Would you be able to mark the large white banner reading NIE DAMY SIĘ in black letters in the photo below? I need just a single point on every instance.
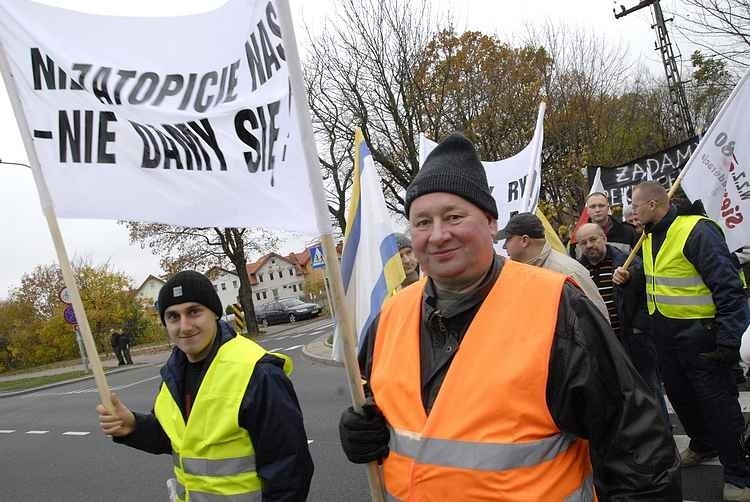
(183, 120)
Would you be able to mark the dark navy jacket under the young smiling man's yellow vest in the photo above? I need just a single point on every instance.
(269, 412)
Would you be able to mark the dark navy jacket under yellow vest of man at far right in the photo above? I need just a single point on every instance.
(707, 250)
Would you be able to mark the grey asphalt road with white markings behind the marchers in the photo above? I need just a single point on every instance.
(51, 449)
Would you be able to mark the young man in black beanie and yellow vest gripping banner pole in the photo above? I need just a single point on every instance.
(226, 410)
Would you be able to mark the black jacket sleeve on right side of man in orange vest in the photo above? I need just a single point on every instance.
(594, 392)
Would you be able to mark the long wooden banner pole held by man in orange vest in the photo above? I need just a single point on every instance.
(344, 316)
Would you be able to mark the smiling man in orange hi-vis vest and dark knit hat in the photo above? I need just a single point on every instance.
(495, 380)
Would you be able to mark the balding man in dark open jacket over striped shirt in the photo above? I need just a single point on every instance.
(624, 293)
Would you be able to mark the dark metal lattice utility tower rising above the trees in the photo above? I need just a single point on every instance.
(678, 100)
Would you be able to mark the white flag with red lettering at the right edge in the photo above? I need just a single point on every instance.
(717, 172)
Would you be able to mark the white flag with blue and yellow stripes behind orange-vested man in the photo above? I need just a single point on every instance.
(370, 263)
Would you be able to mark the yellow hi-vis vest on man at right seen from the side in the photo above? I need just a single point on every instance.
(673, 285)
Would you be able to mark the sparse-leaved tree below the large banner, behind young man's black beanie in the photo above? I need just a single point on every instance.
(184, 248)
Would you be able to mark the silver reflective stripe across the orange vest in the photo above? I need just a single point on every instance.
(481, 456)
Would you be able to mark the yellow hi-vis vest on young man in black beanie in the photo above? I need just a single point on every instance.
(214, 458)
